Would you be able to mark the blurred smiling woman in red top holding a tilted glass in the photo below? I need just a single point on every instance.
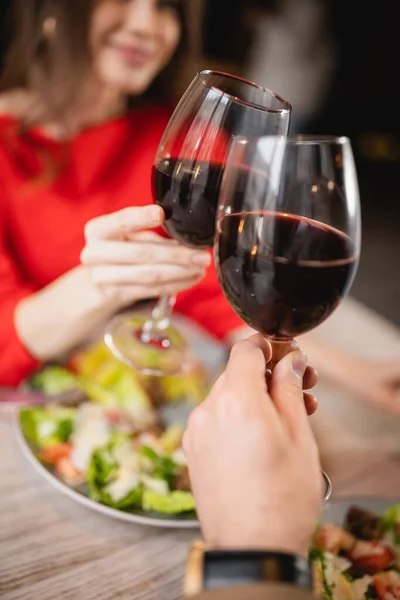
(86, 95)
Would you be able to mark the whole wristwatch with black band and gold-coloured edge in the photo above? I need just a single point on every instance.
(210, 569)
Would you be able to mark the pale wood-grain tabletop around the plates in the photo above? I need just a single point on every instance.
(52, 549)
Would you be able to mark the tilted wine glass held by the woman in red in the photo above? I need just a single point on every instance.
(187, 175)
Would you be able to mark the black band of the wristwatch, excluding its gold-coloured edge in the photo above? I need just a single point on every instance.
(231, 568)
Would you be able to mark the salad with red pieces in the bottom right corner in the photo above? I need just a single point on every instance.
(361, 559)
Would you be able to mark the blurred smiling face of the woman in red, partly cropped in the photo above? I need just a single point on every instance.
(133, 40)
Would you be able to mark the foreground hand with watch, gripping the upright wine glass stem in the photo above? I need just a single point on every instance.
(253, 461)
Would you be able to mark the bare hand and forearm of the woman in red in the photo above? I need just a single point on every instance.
(123, 262)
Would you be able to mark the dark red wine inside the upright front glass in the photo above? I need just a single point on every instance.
(283, 274)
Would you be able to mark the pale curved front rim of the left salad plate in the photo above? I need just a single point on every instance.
(87, 502)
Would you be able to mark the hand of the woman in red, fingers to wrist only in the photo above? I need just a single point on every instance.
(129, 263)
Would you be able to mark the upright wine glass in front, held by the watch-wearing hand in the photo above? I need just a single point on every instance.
(288, 233)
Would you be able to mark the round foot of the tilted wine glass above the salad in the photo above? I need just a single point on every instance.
(153, 348)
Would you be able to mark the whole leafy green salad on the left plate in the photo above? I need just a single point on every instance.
(112, 446)
